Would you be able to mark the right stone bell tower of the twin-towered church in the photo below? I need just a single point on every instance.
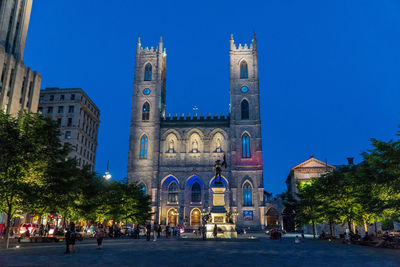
(245, 126)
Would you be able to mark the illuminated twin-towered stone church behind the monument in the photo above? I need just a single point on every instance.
(172, 157)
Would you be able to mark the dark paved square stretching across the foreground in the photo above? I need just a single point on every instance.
(264, 252)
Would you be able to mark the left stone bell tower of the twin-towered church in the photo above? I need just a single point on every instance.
(148, 105)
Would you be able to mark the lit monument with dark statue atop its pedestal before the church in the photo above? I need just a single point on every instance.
(218, 216)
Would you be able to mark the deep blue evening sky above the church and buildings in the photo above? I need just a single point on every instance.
(329, 70)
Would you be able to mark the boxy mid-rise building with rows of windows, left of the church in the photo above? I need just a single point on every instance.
(78, 119)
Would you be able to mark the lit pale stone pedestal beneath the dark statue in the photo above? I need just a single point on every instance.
(218, 215)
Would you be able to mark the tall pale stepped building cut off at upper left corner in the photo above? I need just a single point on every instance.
(19, 85)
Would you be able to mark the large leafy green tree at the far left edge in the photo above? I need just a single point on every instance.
(27, 145)
